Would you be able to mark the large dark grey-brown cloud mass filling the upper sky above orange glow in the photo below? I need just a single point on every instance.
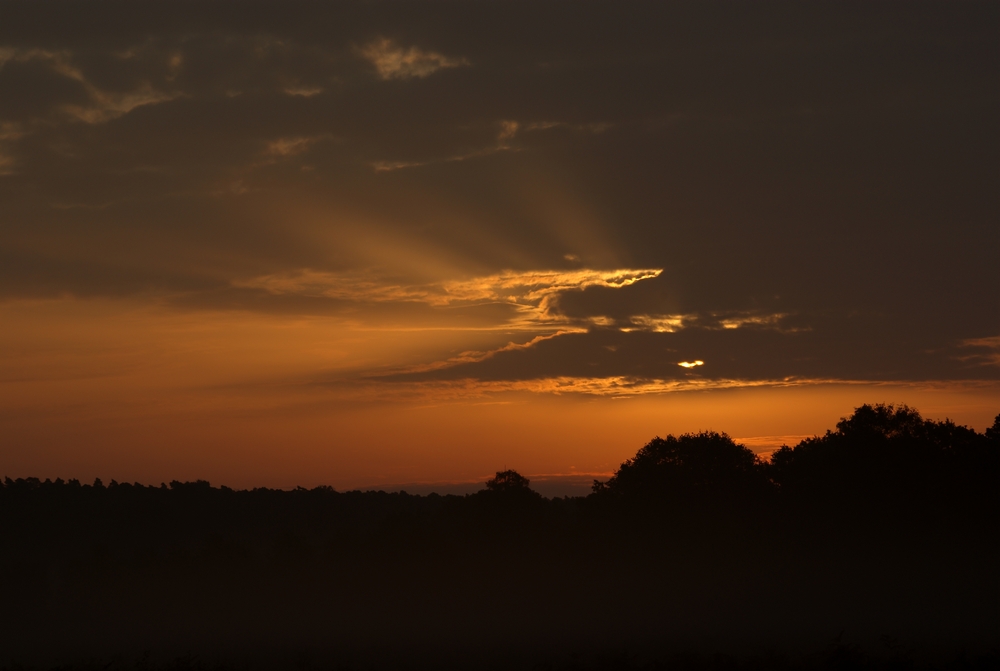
(835, 163)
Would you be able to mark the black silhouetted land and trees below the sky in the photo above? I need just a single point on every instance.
(874, 546)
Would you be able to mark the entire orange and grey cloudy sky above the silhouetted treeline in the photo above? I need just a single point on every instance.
(376, 244)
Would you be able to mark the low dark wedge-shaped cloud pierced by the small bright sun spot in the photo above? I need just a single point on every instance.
(843, 350)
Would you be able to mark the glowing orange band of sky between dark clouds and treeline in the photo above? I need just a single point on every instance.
(102, 389)
